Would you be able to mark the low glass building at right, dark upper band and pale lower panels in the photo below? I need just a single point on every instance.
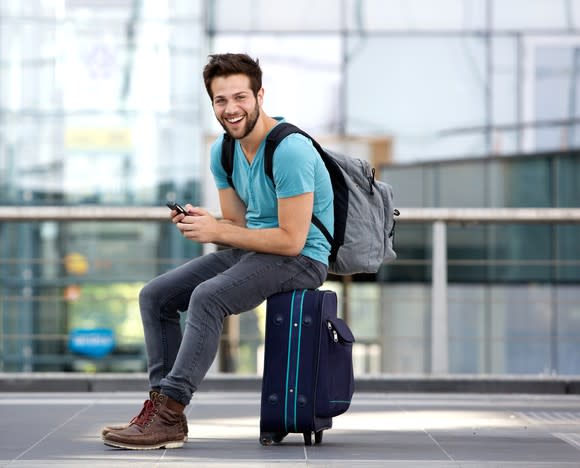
(514, 289)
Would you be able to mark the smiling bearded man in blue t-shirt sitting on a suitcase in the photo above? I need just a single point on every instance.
(274, 248)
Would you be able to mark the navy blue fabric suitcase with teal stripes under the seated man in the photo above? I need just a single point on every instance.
(308, 376)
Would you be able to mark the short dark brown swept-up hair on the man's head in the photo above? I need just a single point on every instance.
(231, 64)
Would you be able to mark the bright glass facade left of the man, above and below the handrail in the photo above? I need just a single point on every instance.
(97, 107)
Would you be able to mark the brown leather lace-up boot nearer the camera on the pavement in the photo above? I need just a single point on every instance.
(159, 426)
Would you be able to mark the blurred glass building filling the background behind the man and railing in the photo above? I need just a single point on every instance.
(459, 103)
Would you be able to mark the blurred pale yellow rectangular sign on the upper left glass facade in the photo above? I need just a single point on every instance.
(111, 139)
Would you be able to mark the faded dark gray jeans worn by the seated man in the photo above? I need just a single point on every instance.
(210, 288)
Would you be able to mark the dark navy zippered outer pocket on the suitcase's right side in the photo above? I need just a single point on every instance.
(335, 373)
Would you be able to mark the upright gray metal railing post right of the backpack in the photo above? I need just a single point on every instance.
(439, 322)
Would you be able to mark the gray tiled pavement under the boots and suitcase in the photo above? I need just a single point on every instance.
(380, 430)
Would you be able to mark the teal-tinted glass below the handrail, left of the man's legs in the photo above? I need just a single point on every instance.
(56, 277)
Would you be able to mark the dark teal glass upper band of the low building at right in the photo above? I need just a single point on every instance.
(501, 253)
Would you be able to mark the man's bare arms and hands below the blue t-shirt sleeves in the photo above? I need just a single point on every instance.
(294, 217)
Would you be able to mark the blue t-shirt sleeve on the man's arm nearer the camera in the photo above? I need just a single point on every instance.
(294, 166)
